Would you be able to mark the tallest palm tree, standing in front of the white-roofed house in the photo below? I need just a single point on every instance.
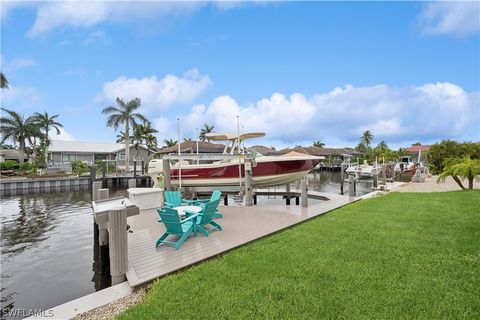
(124, 113)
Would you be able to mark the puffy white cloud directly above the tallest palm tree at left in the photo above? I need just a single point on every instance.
(158, 94)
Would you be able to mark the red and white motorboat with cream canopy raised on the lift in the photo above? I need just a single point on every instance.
(266, 170)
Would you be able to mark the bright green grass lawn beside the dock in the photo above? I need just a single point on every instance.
(403, 255)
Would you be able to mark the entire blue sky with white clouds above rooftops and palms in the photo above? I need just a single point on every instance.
(407, 71)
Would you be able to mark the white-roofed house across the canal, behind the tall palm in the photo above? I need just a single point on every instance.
(62, 153)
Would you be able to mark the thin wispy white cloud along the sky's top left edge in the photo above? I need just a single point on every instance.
(51, 15)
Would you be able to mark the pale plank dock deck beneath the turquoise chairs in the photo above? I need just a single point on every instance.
(240, 225)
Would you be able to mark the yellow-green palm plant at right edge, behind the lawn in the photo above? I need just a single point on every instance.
(460, 169)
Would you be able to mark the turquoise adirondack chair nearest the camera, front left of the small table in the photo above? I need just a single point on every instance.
(175, 226)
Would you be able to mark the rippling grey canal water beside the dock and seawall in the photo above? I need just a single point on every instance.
(47, 251)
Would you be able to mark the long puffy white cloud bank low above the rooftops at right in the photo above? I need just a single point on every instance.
(431, 111)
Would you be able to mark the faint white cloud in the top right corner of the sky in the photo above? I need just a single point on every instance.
(459, 18)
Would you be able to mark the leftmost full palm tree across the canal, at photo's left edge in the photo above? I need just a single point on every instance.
(17, 128)
